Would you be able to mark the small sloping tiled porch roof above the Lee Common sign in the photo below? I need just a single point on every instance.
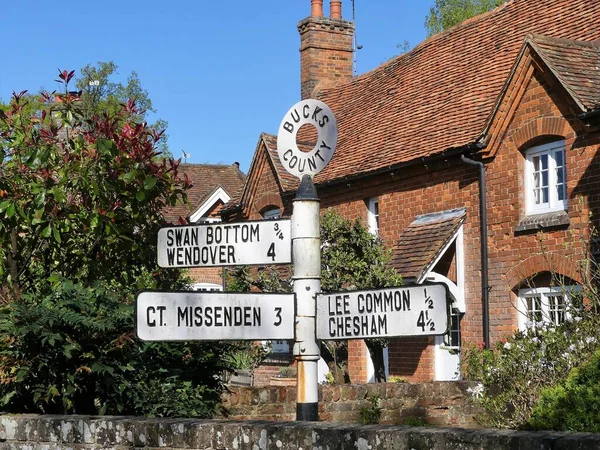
(424, 240)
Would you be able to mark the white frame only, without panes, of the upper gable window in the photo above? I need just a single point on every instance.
(553, 204)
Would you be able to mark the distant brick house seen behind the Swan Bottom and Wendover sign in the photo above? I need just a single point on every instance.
(213, 185)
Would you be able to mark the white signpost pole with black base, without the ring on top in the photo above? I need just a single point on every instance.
(306, 253)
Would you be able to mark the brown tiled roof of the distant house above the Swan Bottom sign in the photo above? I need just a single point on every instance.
(206, 180)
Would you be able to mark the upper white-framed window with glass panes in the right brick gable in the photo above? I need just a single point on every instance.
(546, 178)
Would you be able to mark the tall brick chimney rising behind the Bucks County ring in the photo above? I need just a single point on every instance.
(325, 48)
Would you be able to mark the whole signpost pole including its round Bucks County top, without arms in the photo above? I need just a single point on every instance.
(306, 242)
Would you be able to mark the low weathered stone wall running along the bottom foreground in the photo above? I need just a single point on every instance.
(82, 432)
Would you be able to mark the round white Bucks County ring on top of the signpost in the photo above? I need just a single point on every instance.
(294, 160)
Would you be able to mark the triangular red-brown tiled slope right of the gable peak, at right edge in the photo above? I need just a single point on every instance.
(576, 64)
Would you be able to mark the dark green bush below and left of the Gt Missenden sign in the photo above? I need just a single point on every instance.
(75, 351)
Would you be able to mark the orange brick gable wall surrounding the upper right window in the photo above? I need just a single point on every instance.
(542, 116)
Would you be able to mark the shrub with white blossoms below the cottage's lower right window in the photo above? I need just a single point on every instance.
(513, 374)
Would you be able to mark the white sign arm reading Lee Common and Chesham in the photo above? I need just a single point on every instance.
(401, 311)
